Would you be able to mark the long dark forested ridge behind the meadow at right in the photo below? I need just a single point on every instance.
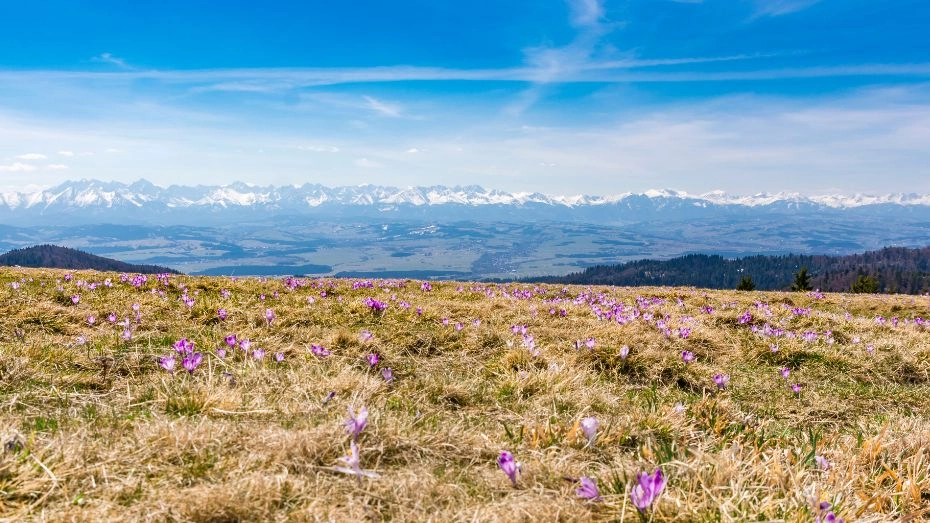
(896, 269)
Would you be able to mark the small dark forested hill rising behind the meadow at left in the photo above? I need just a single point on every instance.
(55, 257)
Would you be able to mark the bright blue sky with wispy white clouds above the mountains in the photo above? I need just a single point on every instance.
(560, 97)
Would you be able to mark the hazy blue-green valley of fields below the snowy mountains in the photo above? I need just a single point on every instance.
(460, 249)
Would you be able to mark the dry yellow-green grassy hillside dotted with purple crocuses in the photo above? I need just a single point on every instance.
(826, 401)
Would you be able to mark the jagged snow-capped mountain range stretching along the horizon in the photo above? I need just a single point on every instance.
(93, 194)
